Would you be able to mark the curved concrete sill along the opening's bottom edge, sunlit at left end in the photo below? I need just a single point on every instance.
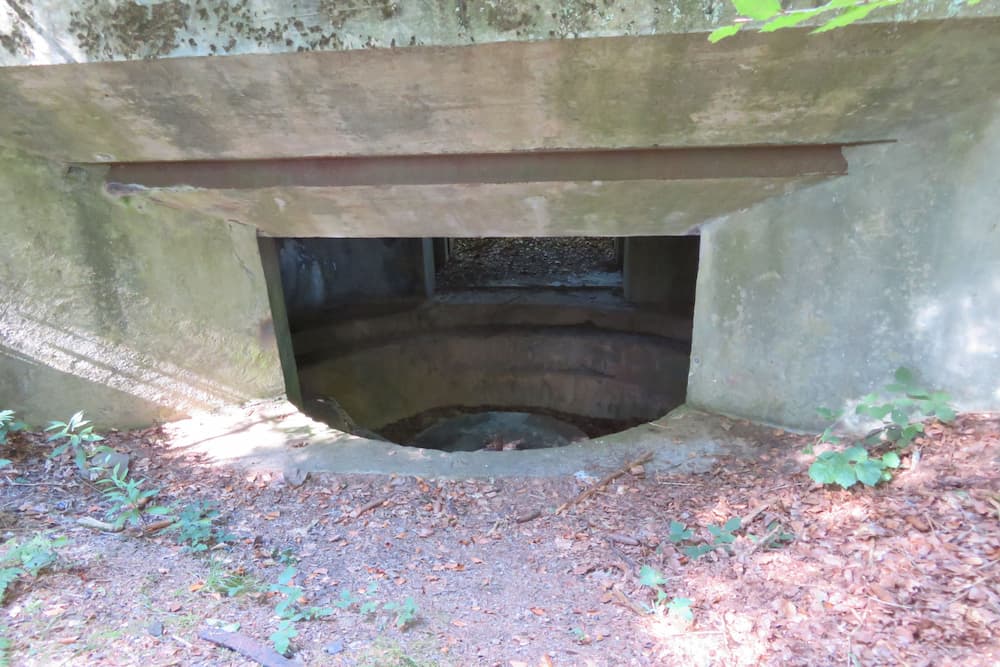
(275, 436)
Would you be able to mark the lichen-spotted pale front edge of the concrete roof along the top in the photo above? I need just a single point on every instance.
(45, 32)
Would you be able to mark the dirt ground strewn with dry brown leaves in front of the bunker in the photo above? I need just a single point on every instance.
(905, 574)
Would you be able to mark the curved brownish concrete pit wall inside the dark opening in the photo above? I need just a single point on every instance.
(573, 356)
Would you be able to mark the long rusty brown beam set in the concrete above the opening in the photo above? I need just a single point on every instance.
(533, 167)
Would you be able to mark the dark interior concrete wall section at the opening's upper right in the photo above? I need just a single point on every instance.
(661, 269)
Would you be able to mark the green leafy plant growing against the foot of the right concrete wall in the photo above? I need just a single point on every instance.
(902, 409)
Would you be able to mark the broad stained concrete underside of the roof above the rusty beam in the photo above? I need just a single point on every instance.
(858, 84)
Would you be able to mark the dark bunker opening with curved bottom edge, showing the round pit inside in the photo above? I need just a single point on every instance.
(488, 347)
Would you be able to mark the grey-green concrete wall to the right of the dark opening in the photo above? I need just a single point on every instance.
(816, 298)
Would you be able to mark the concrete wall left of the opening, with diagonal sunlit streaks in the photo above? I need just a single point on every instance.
(127, 312)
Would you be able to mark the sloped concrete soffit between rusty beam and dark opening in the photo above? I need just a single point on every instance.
(520, 209)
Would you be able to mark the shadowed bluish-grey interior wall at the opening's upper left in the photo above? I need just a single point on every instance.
(319, 274)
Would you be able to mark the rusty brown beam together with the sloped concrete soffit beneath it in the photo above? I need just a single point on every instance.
(628, 192)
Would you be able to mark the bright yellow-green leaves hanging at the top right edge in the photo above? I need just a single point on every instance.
(768, 15)
